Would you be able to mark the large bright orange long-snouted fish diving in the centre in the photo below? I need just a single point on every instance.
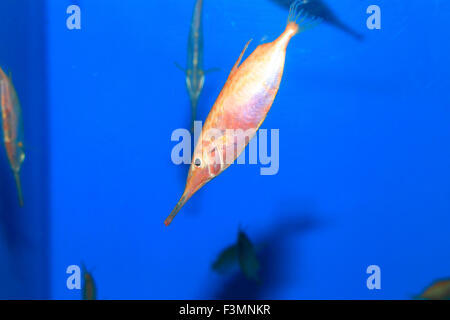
(242, 106)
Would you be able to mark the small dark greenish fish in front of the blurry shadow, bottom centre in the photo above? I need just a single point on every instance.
(243, 253)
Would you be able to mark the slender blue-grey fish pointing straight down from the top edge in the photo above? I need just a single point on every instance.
(195, 75)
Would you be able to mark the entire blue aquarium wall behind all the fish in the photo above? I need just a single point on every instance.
(364, 174)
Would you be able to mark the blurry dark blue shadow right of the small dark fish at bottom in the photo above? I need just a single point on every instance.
(274, 249)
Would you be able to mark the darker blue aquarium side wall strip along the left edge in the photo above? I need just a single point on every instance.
(24, 232)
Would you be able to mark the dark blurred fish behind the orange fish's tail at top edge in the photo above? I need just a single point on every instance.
(319, 9)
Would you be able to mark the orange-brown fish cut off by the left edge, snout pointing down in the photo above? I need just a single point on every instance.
(12, 128)
